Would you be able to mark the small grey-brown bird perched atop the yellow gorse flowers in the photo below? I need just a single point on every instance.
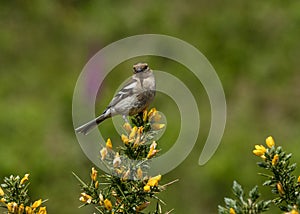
(134, 97)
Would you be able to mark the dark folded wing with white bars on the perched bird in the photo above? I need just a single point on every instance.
(125, 92)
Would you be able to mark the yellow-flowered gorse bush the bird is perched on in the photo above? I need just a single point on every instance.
(127, 187)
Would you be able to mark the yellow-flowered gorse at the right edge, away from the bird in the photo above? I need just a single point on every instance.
(284, 185)
